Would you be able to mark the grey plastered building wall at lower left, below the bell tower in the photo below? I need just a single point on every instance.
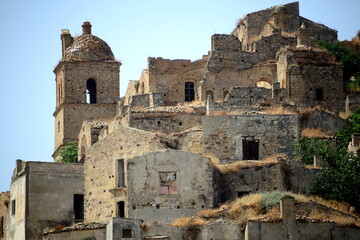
(49, 190)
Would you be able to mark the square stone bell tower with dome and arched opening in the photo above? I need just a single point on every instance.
(87, 84)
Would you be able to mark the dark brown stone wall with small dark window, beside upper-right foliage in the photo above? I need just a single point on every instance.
(312, 78)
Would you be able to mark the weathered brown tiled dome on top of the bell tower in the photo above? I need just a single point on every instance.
(88, 47)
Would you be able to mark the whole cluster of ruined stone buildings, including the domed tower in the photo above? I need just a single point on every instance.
(155, 155)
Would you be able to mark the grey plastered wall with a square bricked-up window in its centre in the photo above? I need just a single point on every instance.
(168, 184)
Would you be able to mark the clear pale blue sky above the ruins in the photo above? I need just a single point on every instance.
(135, 29)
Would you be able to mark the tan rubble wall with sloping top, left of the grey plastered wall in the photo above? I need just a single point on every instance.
(102, 190)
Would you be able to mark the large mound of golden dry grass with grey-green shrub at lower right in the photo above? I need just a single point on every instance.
(250, 207)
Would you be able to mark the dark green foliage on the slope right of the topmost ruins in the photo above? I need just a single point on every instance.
(350, 62)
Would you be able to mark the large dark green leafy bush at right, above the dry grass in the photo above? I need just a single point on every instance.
(339, 178)
